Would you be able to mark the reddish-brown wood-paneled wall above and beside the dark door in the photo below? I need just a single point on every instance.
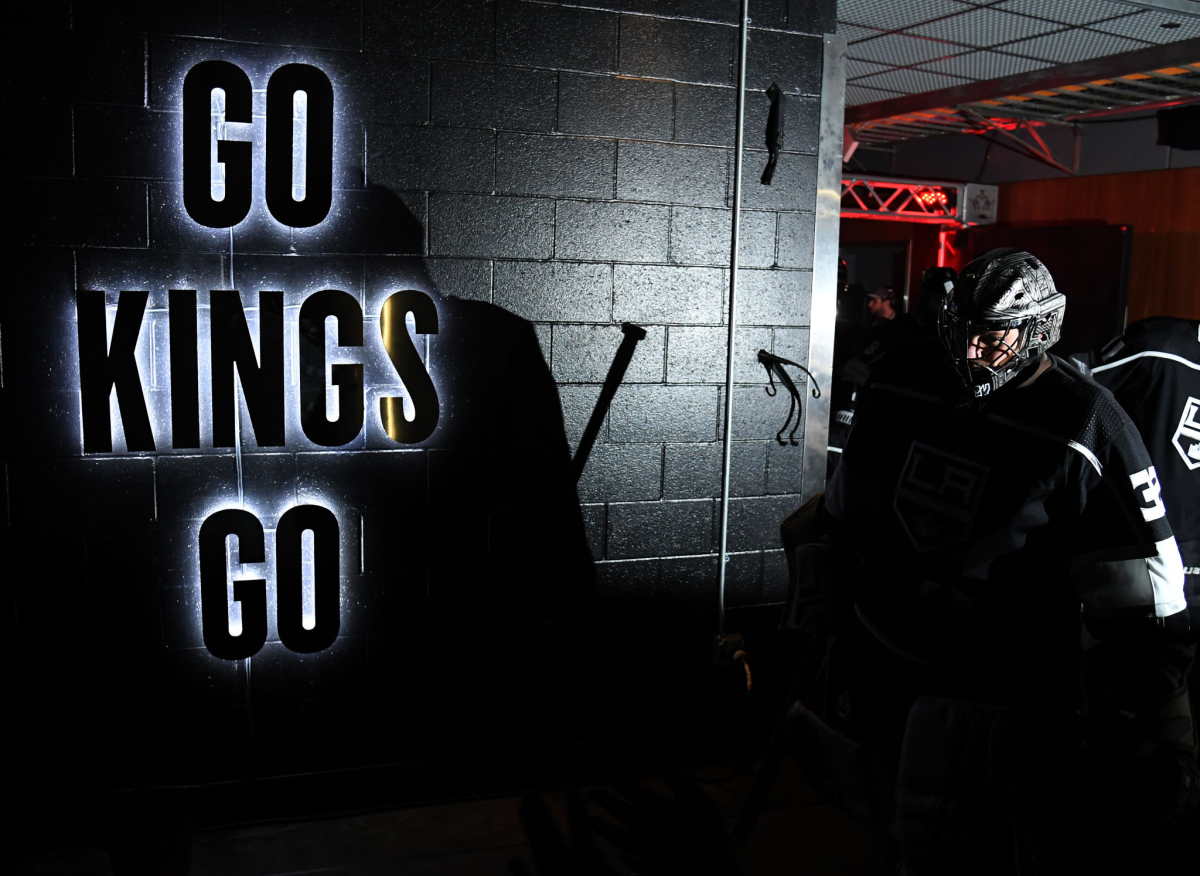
(1163, 208)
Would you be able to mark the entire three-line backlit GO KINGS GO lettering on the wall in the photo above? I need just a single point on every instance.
(218, 194)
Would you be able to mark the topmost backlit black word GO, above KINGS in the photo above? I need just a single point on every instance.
(299, 149)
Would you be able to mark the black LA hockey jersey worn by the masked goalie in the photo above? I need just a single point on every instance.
(973, 536)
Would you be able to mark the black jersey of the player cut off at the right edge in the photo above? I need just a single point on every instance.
(1154, 371)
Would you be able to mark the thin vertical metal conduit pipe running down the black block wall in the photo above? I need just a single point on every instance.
(727, 451)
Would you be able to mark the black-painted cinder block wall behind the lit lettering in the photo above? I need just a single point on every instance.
(545, 172)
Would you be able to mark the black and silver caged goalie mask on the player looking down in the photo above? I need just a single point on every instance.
(1001, 316)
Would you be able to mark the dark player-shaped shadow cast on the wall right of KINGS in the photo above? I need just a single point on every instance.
(505, 531)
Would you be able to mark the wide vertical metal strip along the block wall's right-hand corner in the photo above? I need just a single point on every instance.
(825, 263)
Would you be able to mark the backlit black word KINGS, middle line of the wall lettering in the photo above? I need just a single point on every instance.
(107, 365)
